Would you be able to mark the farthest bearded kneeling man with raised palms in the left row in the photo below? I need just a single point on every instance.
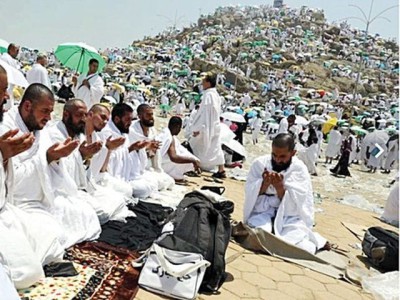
(150, 158)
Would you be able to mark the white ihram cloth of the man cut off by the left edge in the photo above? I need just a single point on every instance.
(26, 241)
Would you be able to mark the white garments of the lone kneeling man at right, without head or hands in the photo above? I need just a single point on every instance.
(294, 215)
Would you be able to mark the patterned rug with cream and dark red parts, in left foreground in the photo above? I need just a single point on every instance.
(105, 272)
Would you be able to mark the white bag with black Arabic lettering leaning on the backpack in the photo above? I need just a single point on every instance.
(173, 273)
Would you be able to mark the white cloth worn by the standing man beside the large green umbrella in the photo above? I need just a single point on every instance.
(89, 96)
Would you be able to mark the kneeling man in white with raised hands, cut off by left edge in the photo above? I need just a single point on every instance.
(26, 242)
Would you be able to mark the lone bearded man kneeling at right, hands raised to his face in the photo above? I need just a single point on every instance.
(279, 197)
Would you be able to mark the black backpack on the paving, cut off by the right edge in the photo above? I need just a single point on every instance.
(382, 248)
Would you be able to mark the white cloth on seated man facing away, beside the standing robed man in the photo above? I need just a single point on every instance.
(175, 170)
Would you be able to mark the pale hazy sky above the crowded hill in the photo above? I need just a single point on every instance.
(42, 24)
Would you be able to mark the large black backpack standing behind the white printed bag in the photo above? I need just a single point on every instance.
(202, 227)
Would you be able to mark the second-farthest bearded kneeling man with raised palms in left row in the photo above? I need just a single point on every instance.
(124, 162)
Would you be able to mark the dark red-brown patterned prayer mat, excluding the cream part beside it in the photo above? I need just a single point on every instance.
(115, 278)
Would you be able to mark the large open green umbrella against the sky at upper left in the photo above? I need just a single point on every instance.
(76, 56)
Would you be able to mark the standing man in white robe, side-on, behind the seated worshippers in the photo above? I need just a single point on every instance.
(206, 129)
